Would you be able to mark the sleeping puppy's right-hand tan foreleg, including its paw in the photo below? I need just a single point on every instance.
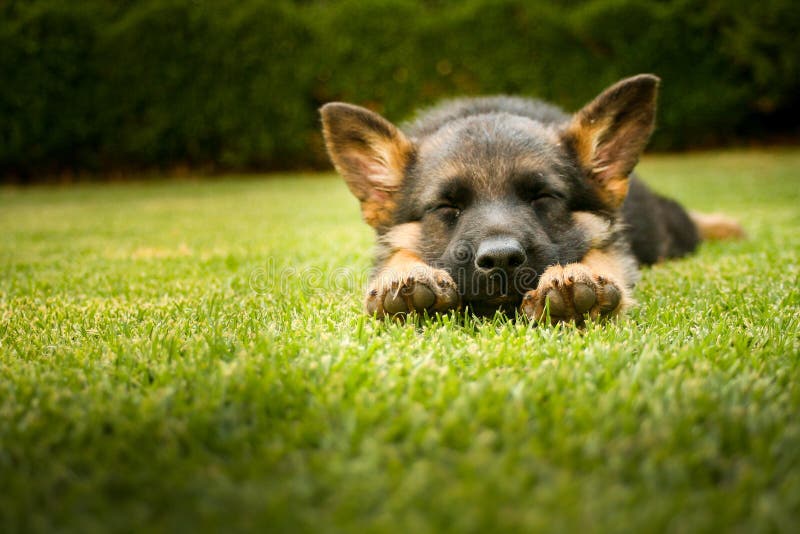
(599, 287)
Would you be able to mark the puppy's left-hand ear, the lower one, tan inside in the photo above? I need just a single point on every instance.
(371, 154)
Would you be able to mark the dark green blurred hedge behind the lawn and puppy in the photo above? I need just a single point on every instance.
(100, 86)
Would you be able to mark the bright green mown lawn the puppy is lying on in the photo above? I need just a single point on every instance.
(181, 356)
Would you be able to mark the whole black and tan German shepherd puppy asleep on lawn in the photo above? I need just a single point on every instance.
(507, 204)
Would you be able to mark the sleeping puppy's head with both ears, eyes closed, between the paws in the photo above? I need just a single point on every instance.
(499, 197)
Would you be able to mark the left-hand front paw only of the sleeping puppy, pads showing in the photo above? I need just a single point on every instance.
(421, 288)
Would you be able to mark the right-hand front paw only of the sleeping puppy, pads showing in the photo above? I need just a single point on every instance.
(572, 292)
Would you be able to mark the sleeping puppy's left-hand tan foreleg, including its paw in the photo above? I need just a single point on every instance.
(403, 283)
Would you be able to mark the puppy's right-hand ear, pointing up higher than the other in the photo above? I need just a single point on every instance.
(610, 133)
